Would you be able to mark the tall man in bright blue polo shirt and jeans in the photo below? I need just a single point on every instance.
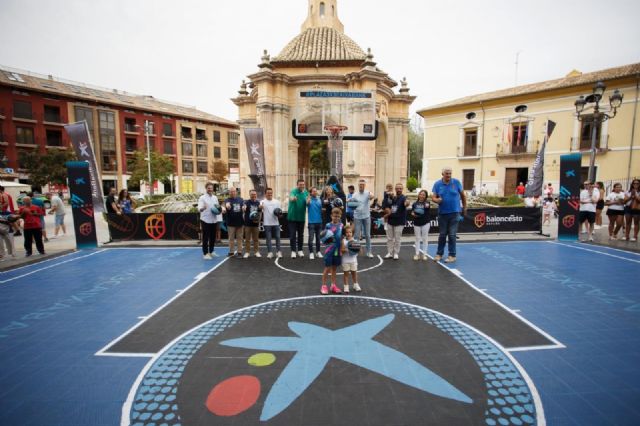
(449, 195)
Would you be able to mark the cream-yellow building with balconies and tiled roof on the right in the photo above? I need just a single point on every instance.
(491, 140)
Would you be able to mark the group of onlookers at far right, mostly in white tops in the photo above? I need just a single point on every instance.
(623, 209)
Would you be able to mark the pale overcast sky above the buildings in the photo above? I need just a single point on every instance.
(196, 52)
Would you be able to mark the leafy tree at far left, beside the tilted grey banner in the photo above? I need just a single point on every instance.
(47, 168)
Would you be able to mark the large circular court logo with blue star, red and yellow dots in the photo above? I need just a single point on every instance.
(332, 360)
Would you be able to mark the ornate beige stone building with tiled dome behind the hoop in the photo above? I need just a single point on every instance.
(322, 57)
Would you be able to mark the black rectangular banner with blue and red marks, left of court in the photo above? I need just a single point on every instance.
(82, 210)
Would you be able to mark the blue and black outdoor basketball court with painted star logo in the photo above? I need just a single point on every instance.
(513, 333)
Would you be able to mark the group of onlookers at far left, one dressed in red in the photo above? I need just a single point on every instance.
(30, 219)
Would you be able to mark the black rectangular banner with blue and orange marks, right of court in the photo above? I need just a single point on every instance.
(568, 226)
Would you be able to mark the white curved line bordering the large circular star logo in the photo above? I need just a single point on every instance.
(540, 416)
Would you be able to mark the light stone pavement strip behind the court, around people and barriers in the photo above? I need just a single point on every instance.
(66, 244)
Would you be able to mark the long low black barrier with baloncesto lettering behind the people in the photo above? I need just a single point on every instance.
(186, 226)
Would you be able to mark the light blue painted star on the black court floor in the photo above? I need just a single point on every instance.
(316, 345)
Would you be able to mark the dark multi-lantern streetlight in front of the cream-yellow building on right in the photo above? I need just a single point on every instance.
(615, 100)
